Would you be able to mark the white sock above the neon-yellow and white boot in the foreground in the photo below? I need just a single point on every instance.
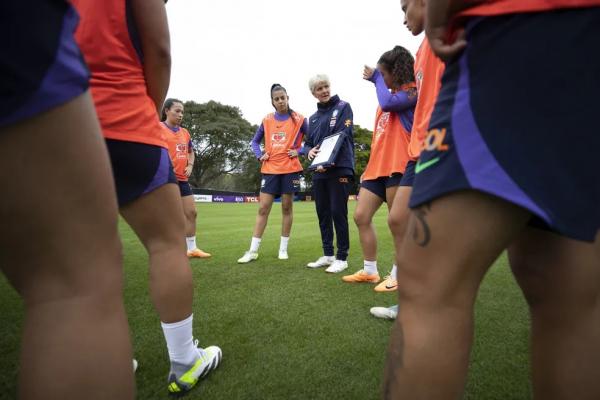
(180, 342)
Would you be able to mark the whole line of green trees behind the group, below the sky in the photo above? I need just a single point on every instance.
(224, 158)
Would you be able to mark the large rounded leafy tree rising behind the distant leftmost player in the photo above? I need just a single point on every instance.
(221, 138)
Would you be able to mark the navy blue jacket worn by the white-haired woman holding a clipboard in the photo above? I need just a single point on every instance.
(333, 117)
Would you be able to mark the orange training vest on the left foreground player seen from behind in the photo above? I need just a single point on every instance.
(118, 84)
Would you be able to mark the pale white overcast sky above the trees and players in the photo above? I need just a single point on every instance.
(231, 51)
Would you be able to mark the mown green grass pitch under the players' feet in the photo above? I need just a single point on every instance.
(288, 332)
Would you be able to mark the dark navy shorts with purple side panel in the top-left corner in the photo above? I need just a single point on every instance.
(40, 63)
